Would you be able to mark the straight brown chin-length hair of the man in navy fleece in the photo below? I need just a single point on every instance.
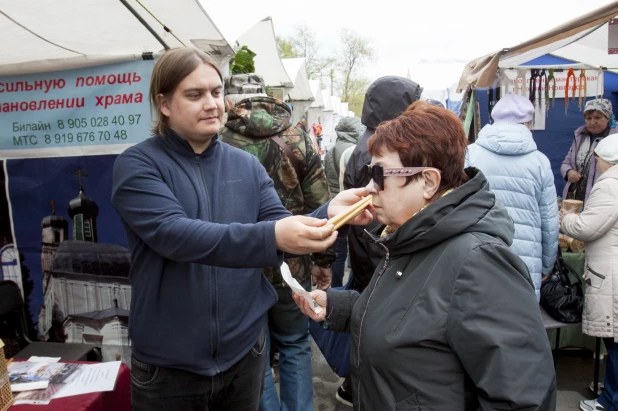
(169, 71)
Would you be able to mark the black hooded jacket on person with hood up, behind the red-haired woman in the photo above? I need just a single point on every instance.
(385, 99)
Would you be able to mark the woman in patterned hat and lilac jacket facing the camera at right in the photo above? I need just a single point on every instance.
(579, 167)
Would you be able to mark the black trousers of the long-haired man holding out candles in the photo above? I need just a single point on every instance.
(155, 388)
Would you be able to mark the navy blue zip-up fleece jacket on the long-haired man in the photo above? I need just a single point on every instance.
(199, 228)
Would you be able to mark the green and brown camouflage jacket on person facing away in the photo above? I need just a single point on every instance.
(249, 126)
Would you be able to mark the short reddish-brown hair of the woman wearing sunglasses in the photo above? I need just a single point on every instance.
(425, 135)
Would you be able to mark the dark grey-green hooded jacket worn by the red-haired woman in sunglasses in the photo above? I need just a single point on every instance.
(450, 320)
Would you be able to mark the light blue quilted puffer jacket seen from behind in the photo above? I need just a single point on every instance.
(522, 180)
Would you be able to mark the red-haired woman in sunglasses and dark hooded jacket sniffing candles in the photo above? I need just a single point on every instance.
(450, 319)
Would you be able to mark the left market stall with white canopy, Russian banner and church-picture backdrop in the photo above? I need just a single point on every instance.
(74, 93)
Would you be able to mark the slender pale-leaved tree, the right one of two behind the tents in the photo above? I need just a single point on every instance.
(356, 51)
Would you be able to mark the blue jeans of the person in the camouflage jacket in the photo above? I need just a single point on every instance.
(289, 332)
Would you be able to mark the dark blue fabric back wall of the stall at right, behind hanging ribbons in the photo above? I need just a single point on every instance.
(557, 137)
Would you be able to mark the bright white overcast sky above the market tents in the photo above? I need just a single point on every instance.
(407, 34)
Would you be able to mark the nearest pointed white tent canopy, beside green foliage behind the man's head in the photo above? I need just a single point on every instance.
(261, 40)
